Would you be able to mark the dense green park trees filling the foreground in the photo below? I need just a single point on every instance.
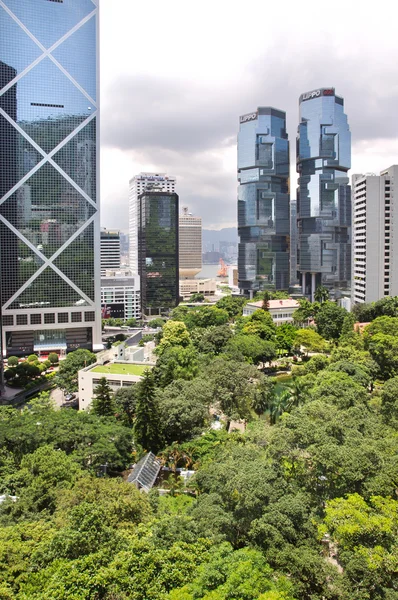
(302, 505)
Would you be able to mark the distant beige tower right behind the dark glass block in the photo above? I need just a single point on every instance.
(190, 244)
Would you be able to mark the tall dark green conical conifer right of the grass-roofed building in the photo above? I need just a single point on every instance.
(147, 425)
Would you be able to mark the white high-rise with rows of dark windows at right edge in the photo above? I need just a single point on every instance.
(374, 238)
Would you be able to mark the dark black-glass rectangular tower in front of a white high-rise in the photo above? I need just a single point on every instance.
(158, 252)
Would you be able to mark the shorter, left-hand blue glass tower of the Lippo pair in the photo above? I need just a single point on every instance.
(263, 201)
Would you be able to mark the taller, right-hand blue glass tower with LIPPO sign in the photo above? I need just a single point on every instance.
(323, 194)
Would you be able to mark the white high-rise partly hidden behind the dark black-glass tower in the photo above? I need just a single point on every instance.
(159, 182)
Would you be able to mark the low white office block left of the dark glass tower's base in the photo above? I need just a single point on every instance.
(120, 294)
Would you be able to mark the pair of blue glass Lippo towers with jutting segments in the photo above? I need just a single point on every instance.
(315, 235)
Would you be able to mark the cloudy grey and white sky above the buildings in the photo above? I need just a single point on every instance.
(175, 76)
